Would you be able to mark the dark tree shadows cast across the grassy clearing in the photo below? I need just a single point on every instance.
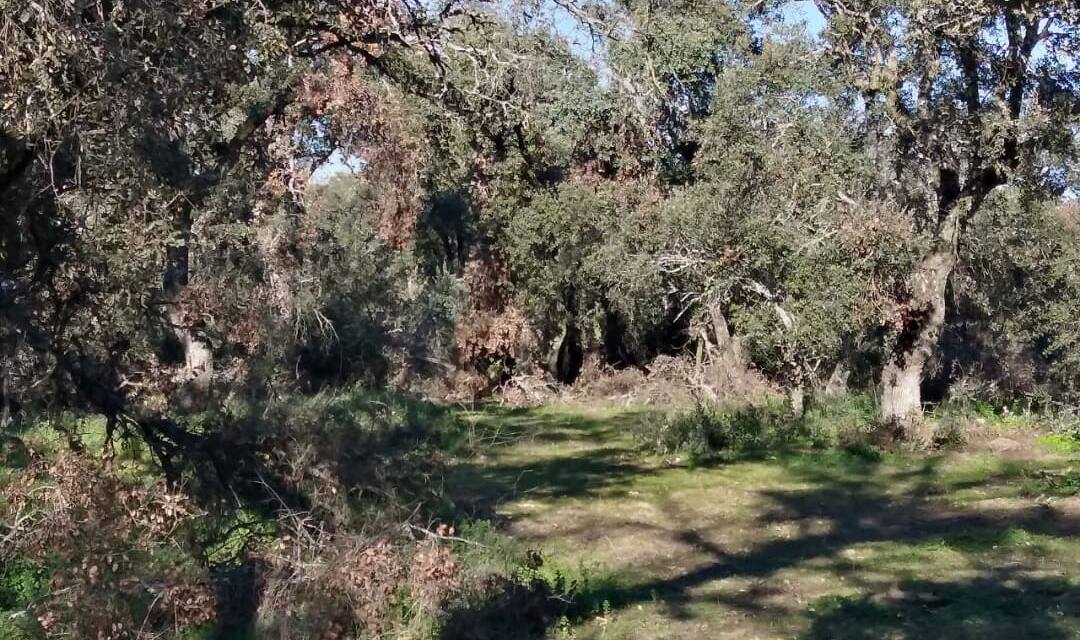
(841, 501)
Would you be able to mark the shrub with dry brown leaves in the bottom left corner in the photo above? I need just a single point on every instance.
(114, 548)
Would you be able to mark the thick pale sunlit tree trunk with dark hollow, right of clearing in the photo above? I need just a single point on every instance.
(923, 318)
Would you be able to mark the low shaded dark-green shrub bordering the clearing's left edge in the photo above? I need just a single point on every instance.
(355, 456)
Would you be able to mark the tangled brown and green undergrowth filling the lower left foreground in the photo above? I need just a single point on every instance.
(352, 536)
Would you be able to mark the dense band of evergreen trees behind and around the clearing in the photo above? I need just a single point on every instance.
(685, 179)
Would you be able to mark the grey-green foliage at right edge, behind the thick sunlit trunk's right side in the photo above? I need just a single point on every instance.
(1014, 338)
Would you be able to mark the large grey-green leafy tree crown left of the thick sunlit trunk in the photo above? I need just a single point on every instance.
(768, 234)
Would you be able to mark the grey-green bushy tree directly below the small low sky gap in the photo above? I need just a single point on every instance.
(361, 310)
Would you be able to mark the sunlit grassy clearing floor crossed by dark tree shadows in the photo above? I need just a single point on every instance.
(803, 544)
